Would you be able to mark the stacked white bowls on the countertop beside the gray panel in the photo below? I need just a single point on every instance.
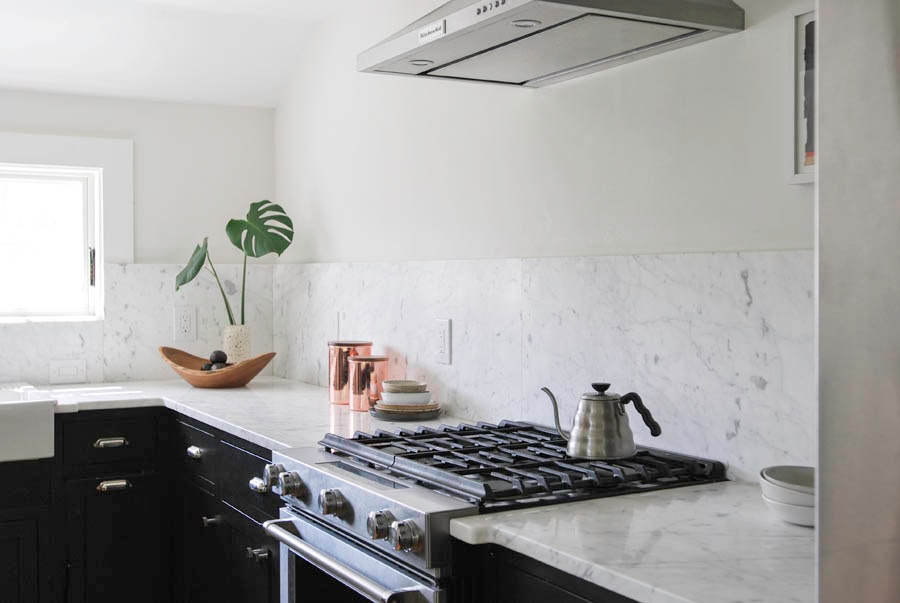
(790, 492)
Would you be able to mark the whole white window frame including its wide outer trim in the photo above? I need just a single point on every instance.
(113, 160)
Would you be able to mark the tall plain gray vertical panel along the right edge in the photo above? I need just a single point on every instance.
(859, 307)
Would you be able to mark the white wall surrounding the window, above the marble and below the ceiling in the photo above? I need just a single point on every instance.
(195, 166)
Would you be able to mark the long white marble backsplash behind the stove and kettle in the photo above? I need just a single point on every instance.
(720, 346)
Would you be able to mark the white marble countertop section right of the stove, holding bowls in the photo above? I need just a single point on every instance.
(715, 543)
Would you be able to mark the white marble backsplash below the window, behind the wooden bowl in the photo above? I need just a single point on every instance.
(138, 319)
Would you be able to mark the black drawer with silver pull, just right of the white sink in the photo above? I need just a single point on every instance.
(113, 440)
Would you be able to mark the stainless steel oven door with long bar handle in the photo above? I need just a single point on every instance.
(349, 563)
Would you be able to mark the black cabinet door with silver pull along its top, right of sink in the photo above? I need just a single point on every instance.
(118, 539)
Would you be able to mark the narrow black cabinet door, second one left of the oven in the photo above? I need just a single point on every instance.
(201, 541)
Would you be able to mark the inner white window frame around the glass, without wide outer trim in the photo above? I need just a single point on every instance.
(91, 180)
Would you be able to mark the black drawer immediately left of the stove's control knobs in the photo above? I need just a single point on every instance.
(242, 466)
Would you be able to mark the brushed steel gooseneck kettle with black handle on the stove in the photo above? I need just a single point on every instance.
(601, 429)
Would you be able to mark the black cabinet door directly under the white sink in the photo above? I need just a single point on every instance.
(19, 561)
